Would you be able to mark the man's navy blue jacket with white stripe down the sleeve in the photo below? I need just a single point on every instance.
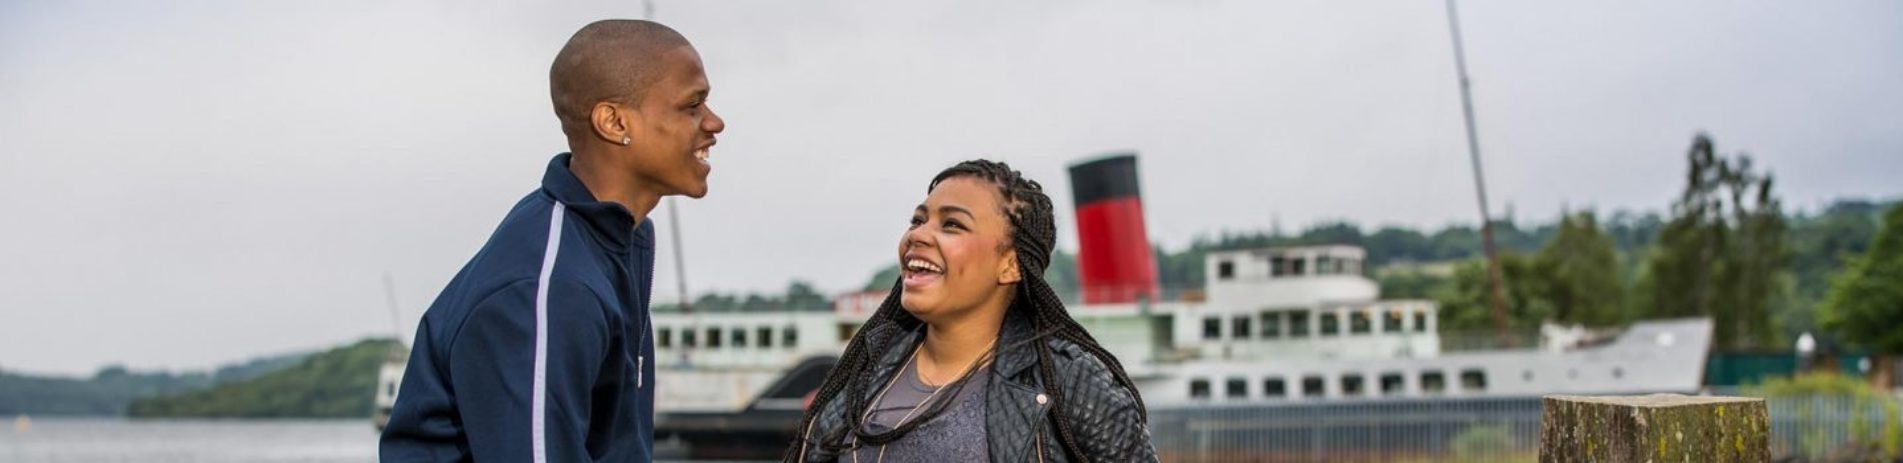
(540, 350)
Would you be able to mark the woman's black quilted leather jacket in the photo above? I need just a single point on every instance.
(1017, 413)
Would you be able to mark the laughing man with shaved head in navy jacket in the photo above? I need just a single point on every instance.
(541, 348)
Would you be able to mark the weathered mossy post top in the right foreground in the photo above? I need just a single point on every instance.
(1658, 428)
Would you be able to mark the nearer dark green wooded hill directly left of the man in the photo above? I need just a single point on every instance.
(336, 384)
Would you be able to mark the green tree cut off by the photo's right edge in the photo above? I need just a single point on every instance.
(1866, 302)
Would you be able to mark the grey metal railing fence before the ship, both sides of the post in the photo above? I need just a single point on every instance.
(1472, 430)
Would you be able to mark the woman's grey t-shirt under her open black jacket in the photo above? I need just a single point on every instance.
(954, 435)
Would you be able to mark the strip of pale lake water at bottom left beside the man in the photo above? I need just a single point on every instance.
(163, 441)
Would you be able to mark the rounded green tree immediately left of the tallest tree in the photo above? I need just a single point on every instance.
(1584, 273)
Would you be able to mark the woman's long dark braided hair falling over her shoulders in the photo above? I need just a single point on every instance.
(1034, 237)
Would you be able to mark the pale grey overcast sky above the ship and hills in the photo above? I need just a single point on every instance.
(191, 184)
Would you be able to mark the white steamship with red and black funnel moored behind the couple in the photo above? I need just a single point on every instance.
(1274, 327)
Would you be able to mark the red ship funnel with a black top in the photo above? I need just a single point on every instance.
(1114, 258)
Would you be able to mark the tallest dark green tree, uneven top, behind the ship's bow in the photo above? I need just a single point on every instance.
(1721, 256)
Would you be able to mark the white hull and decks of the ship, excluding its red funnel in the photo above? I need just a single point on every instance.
(1282, 325)
